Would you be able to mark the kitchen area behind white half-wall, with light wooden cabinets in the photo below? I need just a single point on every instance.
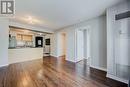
(26, 45)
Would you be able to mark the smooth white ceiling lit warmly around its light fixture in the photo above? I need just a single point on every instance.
(55, 14)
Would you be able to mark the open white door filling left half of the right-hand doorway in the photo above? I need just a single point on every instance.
(80, 45)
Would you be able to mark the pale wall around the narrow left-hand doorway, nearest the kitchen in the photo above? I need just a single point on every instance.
(70, 44)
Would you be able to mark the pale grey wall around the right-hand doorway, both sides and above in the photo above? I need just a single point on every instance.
(98, 41)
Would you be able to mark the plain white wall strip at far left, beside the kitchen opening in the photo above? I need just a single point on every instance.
(4, 34)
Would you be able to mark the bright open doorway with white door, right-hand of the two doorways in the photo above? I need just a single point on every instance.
(82, 44)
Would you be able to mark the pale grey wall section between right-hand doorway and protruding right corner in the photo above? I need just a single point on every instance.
(98, 42)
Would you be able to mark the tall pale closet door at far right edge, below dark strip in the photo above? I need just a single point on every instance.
(122, 48)
